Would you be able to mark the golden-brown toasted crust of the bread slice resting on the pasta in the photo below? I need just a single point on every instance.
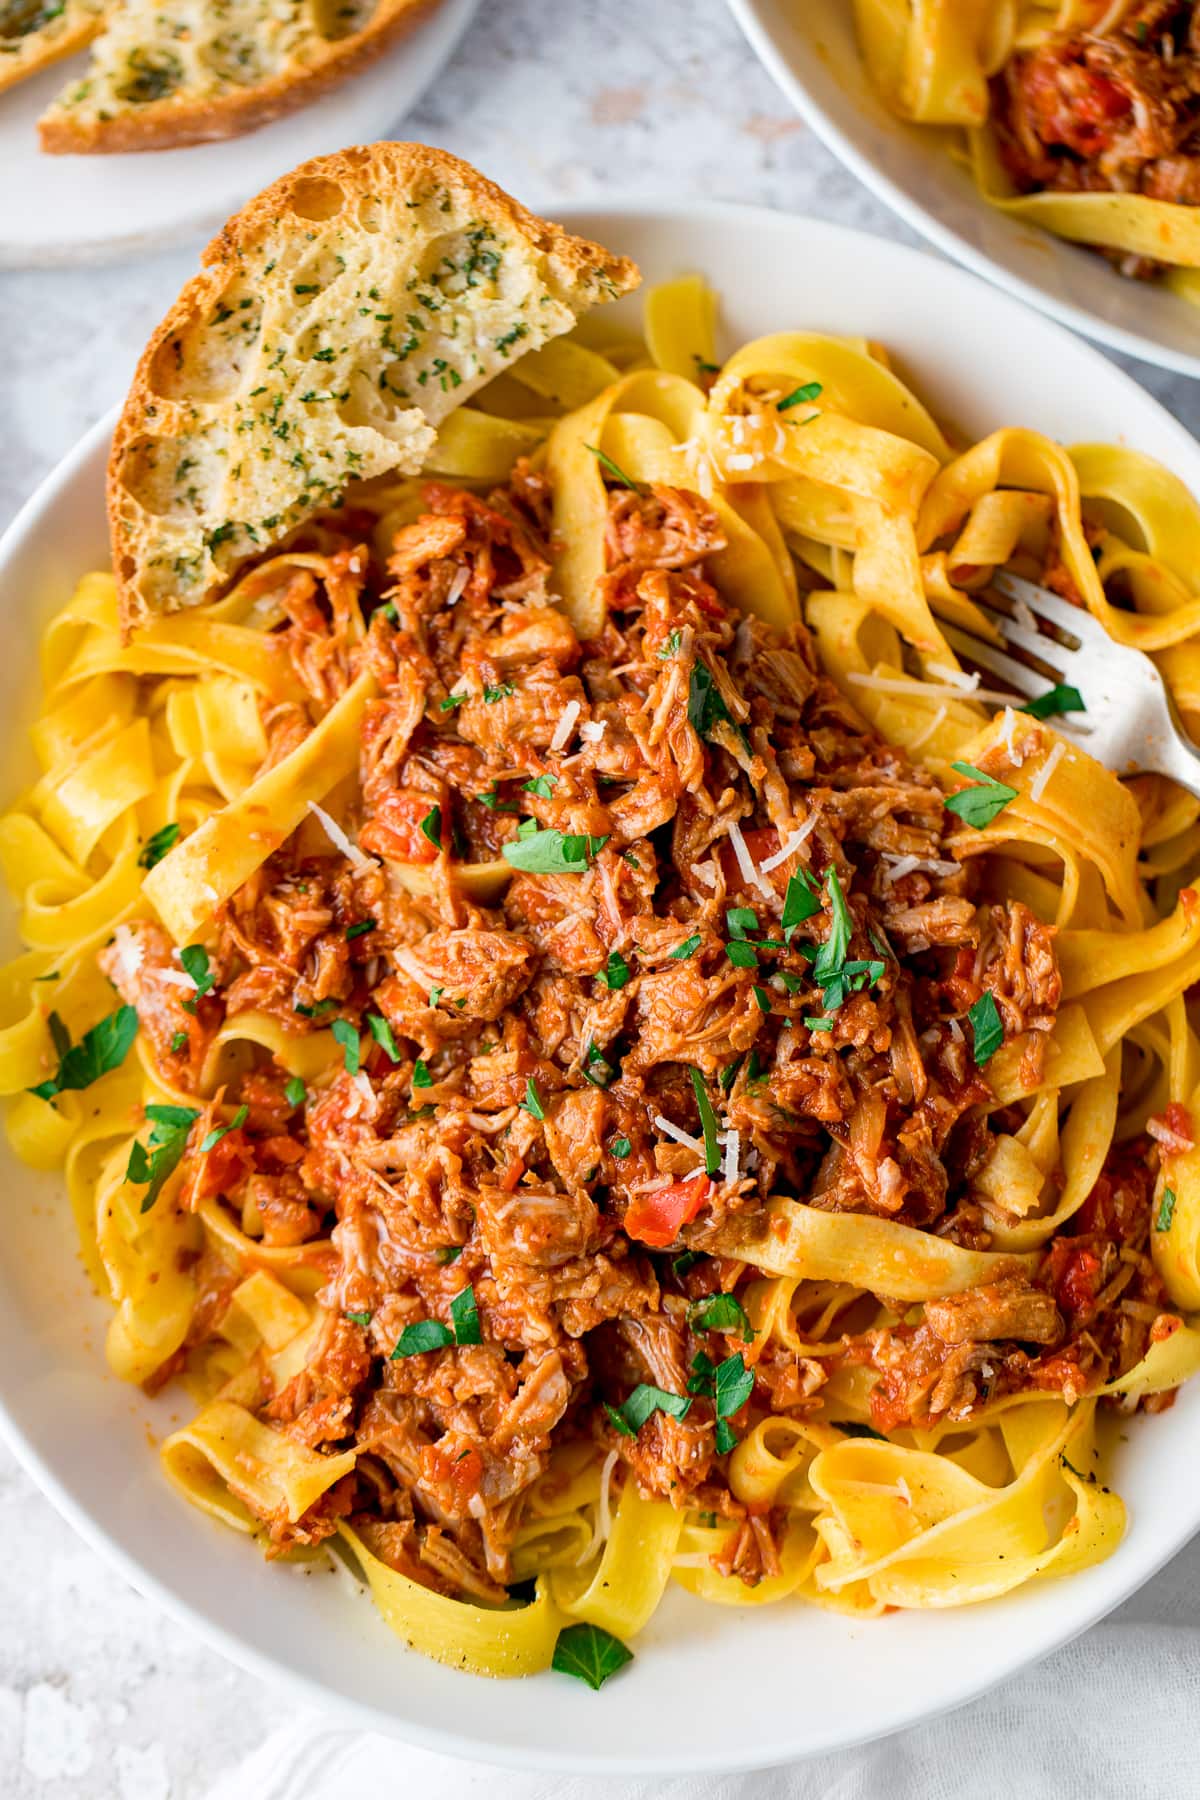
(388, 175)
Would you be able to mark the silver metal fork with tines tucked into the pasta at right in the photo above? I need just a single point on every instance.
(1131, 723)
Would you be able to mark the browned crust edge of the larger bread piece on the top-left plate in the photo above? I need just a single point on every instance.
(179, 120)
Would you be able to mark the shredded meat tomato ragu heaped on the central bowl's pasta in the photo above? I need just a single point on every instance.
(735, 958)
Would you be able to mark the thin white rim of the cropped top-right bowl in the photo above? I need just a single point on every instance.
(751, 15)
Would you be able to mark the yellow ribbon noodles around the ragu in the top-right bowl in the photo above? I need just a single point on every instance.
(933, 60)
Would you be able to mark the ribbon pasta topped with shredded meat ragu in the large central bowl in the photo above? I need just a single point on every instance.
(629, 1068)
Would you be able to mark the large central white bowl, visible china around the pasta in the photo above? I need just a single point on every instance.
(712, 1687)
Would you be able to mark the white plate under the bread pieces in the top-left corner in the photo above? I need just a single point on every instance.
(93, 210)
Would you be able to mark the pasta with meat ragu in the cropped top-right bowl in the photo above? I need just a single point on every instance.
(1077, 116)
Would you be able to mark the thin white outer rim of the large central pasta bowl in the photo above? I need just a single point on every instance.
(1142, 1561)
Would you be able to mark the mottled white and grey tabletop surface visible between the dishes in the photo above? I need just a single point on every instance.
(559, 100)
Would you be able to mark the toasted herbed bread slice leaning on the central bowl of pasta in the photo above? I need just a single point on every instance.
(336, 325)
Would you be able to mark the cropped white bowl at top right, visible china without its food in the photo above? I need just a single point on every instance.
(810, 49)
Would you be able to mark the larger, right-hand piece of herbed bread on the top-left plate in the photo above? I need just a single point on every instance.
(170, 73)
